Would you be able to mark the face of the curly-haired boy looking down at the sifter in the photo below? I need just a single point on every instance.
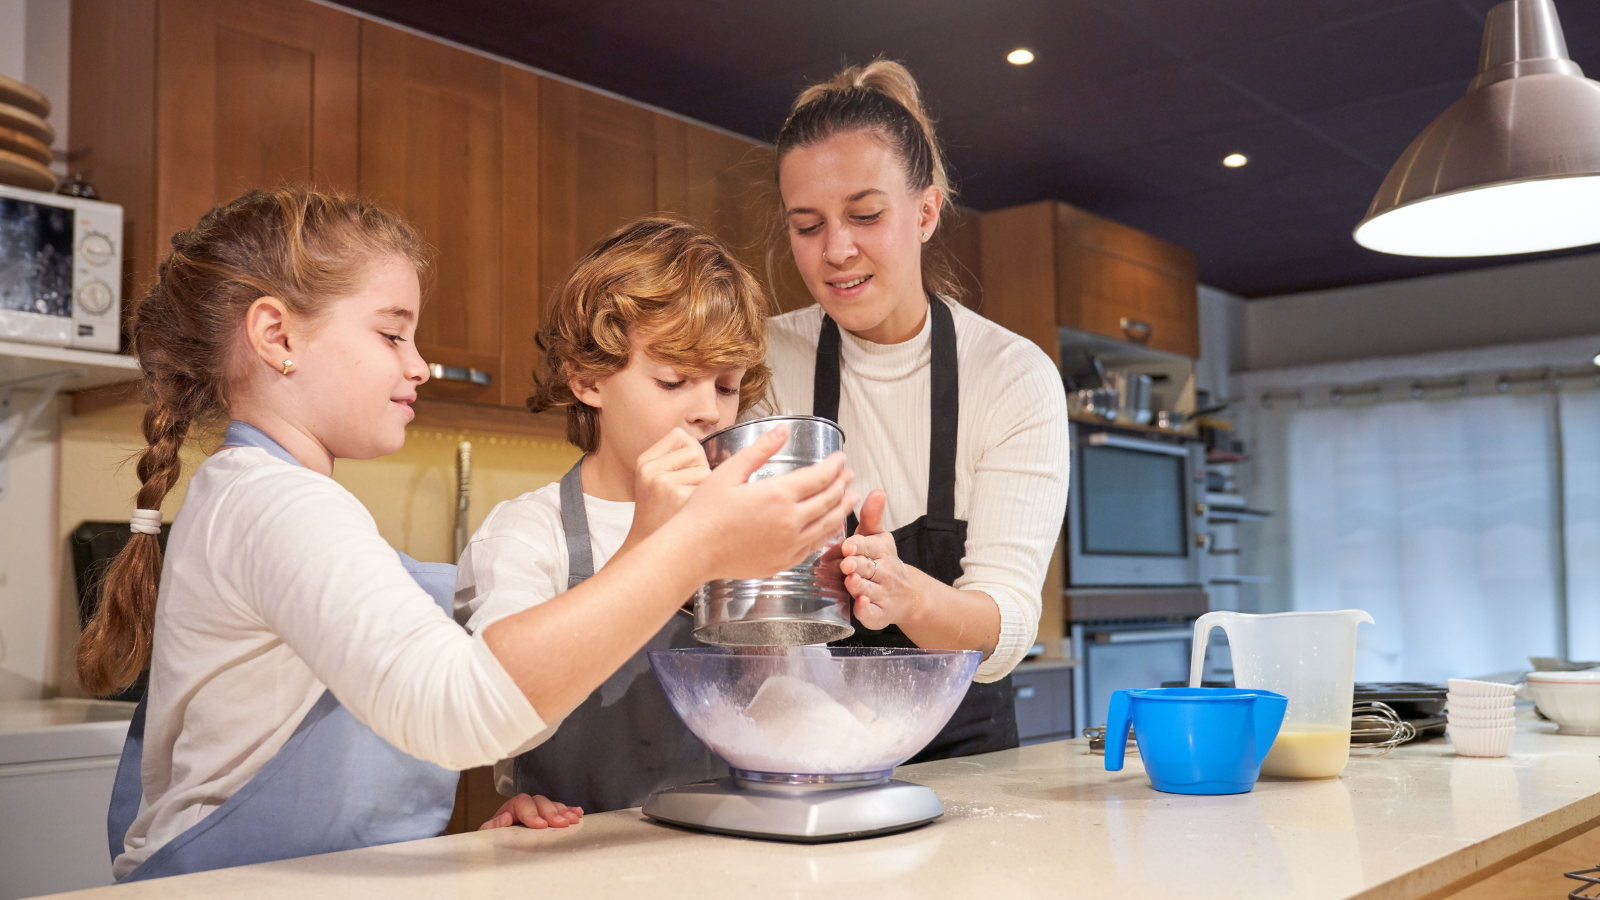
(650, 398)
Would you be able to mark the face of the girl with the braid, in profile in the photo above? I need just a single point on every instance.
(358, 369)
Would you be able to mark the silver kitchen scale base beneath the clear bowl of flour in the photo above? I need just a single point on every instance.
(807, 810)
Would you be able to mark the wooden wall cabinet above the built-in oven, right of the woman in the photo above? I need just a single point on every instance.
(1050, 265)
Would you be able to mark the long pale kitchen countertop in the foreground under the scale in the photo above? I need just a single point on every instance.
(1042, 821)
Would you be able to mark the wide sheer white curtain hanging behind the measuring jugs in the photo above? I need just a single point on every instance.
(1438, 518)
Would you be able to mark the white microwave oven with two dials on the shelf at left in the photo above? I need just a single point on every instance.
(60, 270)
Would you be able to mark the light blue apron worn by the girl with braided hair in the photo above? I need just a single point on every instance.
(334, 787)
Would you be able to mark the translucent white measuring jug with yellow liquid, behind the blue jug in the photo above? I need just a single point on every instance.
(1308, 657)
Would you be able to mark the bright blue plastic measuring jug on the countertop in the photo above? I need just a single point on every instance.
(1196, 741)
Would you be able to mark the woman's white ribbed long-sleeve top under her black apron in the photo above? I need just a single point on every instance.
(1012, 448)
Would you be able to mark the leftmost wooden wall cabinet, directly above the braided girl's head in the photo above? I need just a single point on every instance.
(242, 94)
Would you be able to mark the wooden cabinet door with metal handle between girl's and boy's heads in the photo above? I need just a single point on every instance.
(450, 140)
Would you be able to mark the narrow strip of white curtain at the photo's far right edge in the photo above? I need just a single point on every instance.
(1582, 470)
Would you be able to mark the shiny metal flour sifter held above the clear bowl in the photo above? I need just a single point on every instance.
(806, 605)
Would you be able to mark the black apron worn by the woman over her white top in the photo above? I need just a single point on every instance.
(935, 544)
